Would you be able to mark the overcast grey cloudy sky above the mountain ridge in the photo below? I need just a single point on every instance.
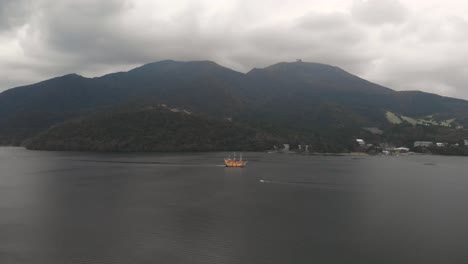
(403, 44)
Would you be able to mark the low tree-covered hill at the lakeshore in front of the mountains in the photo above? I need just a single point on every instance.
(151, 129)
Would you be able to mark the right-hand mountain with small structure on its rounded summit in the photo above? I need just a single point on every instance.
(301, 84)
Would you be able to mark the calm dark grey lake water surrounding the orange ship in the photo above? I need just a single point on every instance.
(187, 208)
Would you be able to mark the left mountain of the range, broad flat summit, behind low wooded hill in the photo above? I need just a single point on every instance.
(26, 110)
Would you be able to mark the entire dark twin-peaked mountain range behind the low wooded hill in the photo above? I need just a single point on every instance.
(298, 102)
